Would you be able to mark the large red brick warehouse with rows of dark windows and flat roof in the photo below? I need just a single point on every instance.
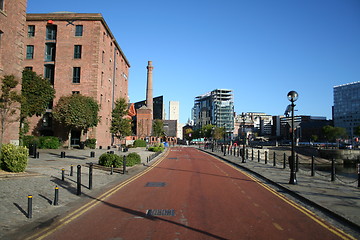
(78, 54)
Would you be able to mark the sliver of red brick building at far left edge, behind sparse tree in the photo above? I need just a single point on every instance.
(12, 31)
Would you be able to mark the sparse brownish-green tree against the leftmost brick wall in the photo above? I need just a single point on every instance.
(9, 104)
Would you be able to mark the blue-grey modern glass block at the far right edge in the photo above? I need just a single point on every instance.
(347, 107)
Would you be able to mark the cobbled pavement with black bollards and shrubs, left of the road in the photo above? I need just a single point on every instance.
(43, 174)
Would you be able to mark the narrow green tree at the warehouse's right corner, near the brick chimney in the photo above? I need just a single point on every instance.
(120, 126)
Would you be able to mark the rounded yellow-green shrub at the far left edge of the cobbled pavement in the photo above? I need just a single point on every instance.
(14, 158)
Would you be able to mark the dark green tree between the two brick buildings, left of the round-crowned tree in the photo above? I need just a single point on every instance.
(37, 92)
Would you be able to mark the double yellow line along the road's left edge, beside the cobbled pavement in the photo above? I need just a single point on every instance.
(77, 213)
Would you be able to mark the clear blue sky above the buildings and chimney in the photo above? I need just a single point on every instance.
(261, 49)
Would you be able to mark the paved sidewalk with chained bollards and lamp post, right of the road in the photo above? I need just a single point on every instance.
(339, 199)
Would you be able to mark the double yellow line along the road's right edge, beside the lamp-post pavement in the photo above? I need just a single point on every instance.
(302, 209)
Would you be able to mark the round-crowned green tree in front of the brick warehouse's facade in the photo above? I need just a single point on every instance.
(76, 112)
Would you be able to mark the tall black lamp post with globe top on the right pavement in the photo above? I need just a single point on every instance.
(292, 96)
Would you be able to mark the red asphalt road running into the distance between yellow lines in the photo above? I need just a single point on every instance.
(210, 199)
